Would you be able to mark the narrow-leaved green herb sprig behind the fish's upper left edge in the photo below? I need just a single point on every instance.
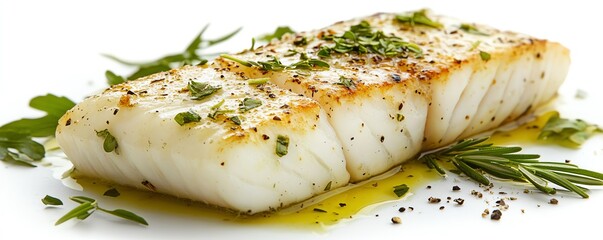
(190, 56)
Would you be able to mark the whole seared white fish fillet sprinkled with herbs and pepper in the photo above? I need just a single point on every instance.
(324, 120)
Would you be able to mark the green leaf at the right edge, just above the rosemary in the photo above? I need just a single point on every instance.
(567, 132)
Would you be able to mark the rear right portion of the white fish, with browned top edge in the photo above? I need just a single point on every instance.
(447, 94)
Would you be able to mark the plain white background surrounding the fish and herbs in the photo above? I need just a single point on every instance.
(55, 47)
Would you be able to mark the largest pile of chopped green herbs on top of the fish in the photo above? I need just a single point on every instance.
(361, 39)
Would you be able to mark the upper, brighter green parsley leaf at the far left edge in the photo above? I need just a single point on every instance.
(55, 107)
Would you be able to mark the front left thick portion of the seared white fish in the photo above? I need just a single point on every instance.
(215, 160)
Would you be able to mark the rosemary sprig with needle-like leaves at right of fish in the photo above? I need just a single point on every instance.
(473, 157)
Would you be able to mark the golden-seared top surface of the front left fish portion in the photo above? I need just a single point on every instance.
(166, 94)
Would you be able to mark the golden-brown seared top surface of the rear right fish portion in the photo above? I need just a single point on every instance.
(444, 50)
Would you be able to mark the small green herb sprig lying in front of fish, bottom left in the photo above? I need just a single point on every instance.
(88, 206)
